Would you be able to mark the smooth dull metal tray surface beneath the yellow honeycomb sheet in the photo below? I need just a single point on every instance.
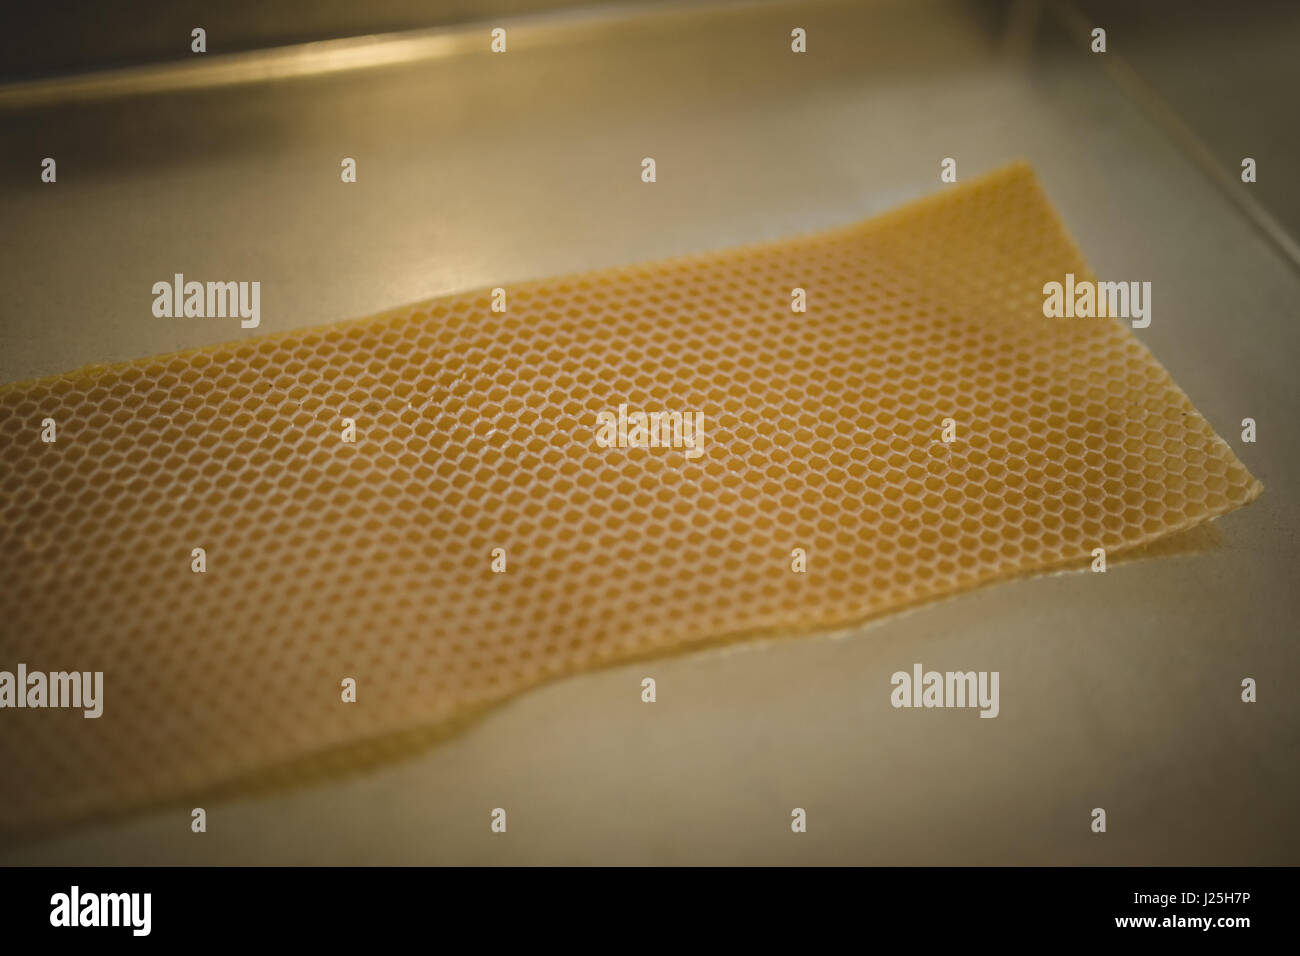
(1119, 690)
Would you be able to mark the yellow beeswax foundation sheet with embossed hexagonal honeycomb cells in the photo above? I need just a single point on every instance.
(476, 431)
